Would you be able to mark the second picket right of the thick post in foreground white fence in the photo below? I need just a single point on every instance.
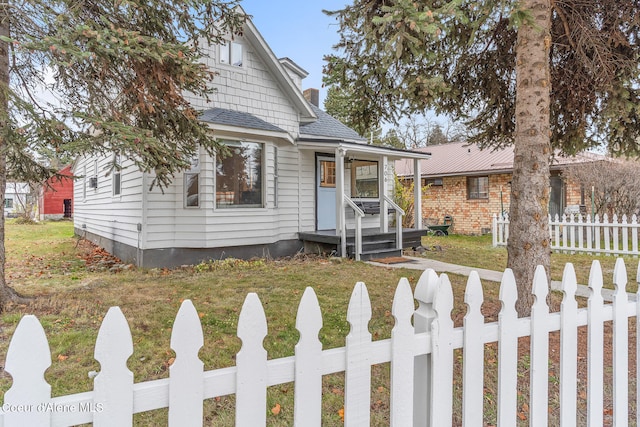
(473, 363)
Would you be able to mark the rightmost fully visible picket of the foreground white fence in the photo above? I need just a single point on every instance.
(620, 346)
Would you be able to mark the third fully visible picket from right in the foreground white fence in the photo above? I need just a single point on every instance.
(568, 348)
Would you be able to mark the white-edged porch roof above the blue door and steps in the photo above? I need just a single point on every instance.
(359, 148)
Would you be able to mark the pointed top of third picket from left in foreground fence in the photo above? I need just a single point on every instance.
(186, 335)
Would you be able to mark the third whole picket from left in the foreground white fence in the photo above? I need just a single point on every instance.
(186, 386)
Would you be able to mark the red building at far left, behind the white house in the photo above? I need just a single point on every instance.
(56, 196)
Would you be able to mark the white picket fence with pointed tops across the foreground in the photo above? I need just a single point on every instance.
(420, 352)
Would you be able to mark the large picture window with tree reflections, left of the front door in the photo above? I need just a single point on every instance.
(239, 176)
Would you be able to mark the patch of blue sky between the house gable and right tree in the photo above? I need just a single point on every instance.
(298, 29)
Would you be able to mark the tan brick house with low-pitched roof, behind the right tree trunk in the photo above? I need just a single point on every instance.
(471, 185)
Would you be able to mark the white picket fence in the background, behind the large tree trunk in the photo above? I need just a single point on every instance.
(573, 233)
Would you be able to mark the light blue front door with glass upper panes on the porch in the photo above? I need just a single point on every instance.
(326, 193)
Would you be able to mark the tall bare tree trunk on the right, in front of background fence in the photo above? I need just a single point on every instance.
(528, 244)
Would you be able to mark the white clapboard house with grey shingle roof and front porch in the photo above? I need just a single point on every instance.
(296, 178)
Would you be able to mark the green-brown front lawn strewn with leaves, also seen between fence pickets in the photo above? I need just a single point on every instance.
(71, 291)
